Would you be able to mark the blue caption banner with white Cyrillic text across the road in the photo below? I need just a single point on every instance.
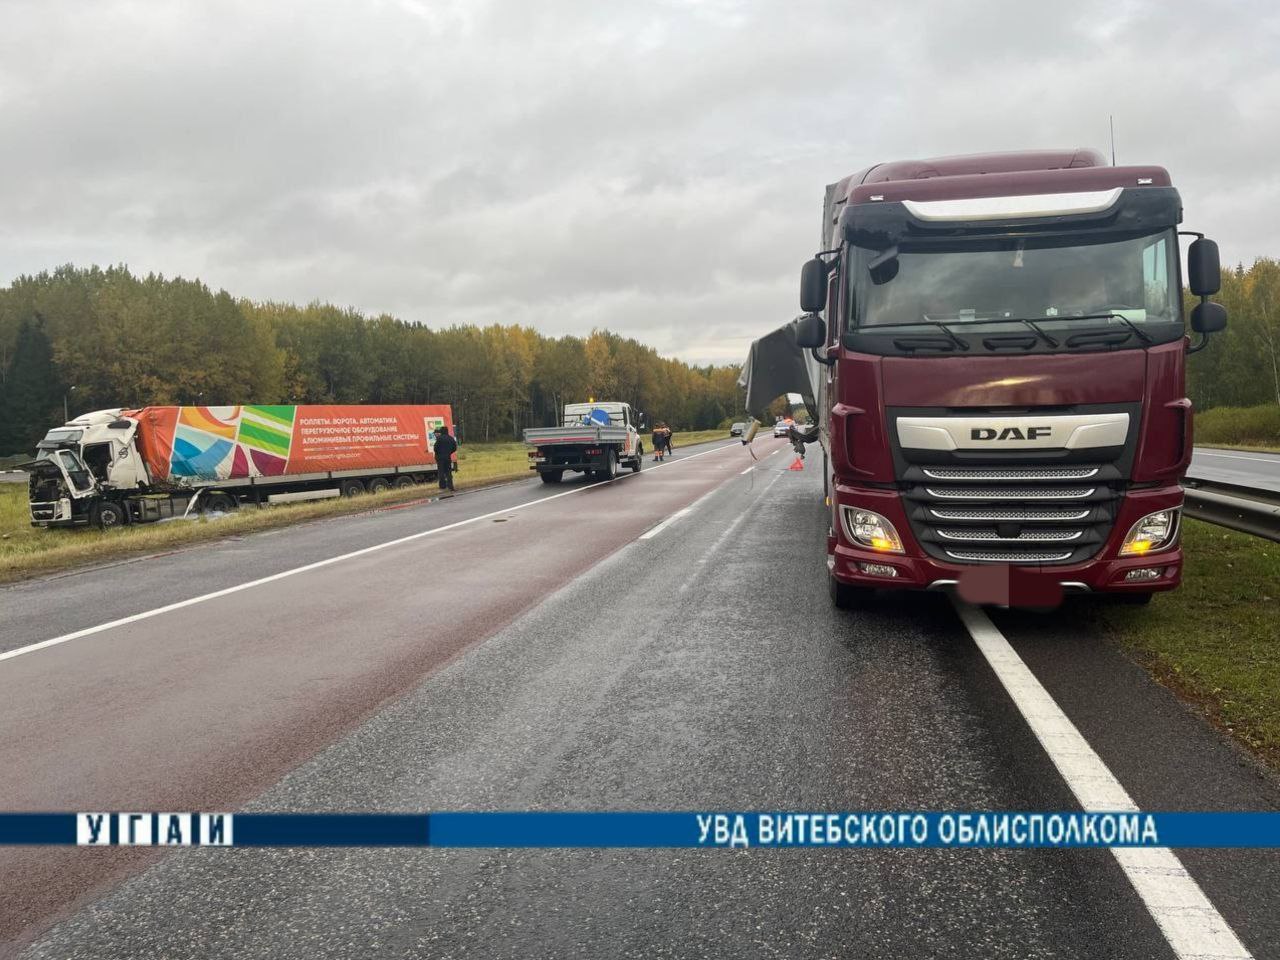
(963, 829)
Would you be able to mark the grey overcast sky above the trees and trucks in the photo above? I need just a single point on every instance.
(656, 168)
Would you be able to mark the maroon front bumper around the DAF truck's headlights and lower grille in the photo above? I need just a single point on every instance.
(915, 570)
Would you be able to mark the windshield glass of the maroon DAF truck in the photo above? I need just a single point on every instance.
(1048, 281)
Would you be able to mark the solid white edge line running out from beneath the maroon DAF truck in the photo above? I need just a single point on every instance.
(1190, 922)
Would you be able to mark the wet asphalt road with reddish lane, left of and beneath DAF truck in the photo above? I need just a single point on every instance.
(702, 669)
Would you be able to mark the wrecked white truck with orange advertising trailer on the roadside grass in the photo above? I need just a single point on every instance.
(121, 467)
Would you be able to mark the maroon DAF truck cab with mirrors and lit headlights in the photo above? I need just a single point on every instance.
(1000, 362)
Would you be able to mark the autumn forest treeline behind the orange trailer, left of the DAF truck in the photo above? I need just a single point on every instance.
(107, 339)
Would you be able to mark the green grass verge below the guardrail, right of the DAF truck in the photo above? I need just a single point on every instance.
(1217, 641)
